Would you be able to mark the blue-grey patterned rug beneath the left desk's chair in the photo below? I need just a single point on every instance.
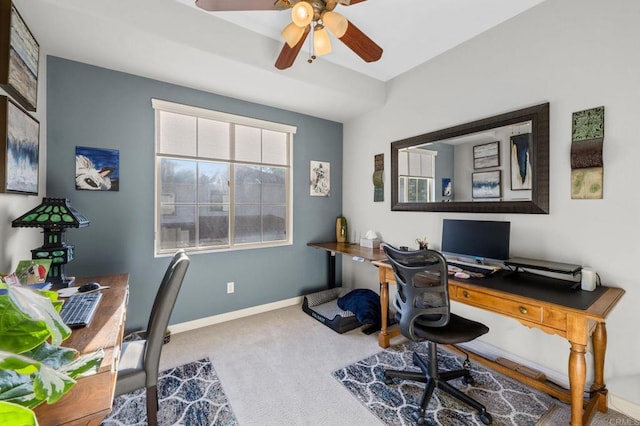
(188, 395)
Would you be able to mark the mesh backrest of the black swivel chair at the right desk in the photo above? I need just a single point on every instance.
(423, 292)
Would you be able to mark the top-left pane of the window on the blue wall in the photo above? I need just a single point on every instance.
(177, 134)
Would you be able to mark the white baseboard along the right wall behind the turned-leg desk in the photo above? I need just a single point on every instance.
(491, 352)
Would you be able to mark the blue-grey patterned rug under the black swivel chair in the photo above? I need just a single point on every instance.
(508, 401)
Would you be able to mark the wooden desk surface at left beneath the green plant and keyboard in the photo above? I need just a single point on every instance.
(91, 398)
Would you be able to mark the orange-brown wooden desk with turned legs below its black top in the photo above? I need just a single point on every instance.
(575, 325)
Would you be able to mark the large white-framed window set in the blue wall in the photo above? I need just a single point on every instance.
(222, 181)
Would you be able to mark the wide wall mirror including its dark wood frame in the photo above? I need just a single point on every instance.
(498, 164)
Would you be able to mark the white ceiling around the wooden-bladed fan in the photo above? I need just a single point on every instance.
(232, 53)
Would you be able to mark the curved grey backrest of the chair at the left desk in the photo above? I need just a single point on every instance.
(161, 312)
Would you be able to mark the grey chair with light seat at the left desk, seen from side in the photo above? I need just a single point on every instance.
(140, 359)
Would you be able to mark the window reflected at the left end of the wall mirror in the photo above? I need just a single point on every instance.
(416, 176)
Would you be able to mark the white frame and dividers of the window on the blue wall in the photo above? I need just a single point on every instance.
(172, 107)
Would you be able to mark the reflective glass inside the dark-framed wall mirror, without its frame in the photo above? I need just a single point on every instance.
(461, 168)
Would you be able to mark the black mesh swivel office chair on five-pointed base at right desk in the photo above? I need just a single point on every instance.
(422, 310)
